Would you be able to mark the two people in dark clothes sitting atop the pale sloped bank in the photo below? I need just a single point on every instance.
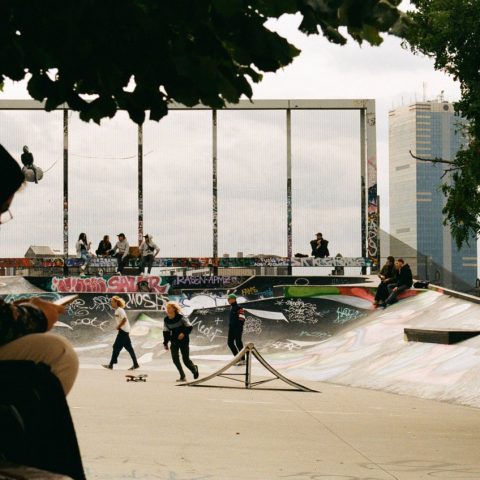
(395, 277)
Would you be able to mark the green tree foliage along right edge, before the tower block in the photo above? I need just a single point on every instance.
(449, 32)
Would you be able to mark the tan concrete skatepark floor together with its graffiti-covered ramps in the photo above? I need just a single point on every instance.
(384, 407)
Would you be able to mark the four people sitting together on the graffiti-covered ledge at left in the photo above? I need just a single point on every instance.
(121, 251)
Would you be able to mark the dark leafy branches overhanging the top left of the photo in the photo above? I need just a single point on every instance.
(139, 55)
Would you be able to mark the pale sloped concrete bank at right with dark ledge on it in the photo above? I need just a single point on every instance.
(375, 353)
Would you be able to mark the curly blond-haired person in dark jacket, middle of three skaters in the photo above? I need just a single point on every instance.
(176, 330)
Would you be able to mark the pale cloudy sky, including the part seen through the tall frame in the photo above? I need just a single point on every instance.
(252, 192)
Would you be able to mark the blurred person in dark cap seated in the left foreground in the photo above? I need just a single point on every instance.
(23, 337)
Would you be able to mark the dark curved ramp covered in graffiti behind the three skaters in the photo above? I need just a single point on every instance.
(272, 324)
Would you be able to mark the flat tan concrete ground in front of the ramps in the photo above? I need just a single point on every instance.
(157, 430)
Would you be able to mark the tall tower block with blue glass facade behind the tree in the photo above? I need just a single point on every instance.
(429, 130)
